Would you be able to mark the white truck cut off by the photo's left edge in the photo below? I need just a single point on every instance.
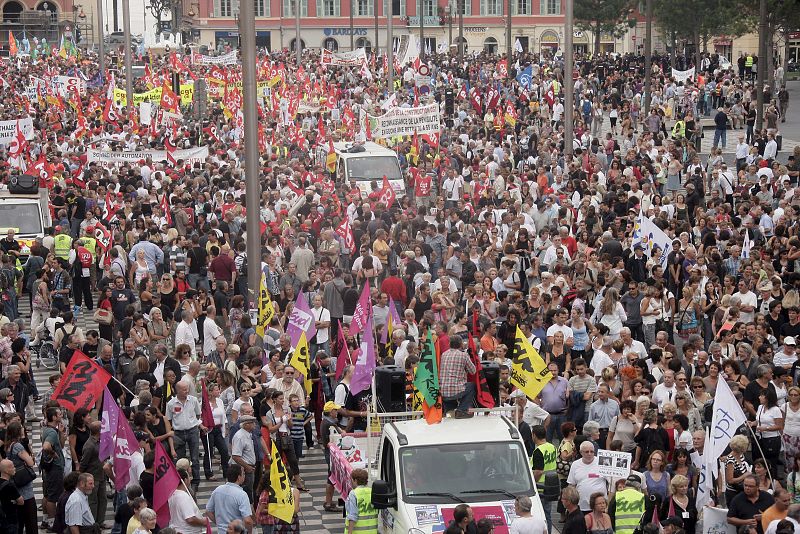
(28, 214)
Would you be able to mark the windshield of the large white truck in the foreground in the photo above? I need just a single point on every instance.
(485, 471)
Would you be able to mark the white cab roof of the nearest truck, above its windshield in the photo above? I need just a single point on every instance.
(451, 430)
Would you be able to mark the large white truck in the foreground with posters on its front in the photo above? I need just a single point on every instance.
(420, 472)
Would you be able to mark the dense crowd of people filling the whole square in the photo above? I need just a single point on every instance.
(519, 232)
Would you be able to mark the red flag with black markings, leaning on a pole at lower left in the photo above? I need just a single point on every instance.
(82, 384)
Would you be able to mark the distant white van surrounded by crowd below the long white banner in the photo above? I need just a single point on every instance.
(368, 162)
